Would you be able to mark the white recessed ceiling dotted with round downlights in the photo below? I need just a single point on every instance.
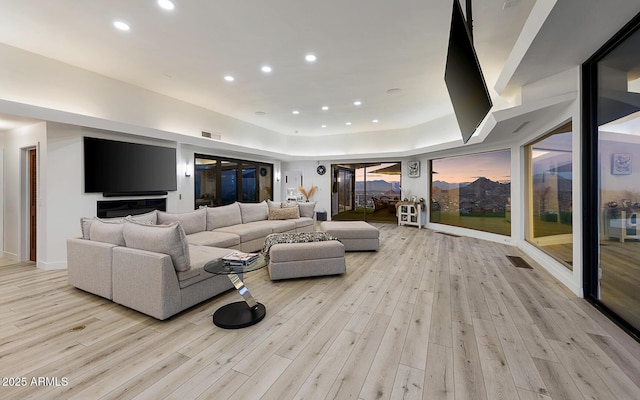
(364, 48)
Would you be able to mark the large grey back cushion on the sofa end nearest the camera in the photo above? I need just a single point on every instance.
(167, 239)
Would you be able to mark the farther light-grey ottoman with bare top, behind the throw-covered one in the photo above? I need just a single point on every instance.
(355, 235)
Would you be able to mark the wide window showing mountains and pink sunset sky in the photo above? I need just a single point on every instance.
(473, 191)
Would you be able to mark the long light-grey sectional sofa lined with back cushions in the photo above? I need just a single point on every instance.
(153, 263)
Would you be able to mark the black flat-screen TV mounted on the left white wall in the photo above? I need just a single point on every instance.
(121, 168)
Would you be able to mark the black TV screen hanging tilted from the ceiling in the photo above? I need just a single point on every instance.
(463, 77)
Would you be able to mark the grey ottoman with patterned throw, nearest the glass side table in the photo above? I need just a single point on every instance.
(297, 260)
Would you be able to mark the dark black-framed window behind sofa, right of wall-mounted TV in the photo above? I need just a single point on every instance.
(220, 181)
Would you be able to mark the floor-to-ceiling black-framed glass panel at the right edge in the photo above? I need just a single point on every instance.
(612, 177)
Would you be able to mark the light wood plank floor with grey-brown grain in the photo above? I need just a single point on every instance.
(429, 316)
